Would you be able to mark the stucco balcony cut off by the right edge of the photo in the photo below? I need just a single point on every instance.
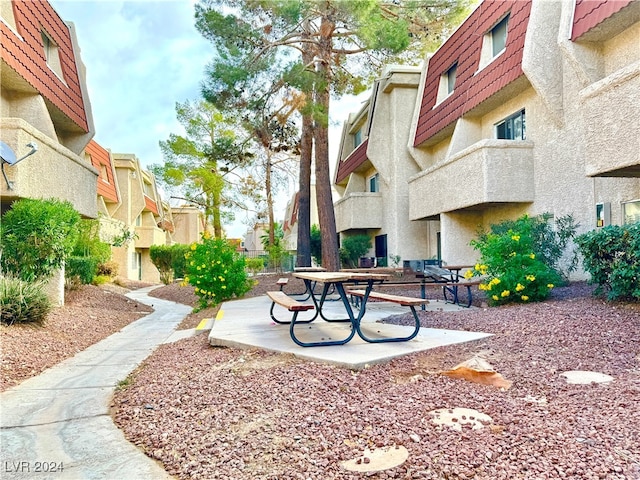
(612, 124)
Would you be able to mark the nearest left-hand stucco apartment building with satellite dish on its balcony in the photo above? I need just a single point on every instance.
(45, 110)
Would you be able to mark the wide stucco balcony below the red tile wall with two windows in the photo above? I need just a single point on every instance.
(487, 173)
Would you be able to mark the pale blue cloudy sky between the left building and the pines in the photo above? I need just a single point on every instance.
(142, 57)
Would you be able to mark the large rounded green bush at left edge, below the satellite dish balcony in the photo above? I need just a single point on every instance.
(37, 236)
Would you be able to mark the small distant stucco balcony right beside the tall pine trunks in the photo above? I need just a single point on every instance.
(359, 211)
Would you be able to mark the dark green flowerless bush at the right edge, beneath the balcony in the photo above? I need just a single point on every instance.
(612, 256)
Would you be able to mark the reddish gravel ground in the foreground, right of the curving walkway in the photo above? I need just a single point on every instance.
(215, 413)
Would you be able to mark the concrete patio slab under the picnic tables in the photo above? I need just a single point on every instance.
(246, 324)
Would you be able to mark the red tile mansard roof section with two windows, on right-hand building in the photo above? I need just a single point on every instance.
(472, 87)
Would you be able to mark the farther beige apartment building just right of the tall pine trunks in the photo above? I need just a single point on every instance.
(373, 167)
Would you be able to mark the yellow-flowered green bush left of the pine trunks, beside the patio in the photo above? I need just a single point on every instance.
(216, 271)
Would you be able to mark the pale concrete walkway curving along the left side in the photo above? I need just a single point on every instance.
(59, 421)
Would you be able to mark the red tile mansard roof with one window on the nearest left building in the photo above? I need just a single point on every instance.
(26, 56)
